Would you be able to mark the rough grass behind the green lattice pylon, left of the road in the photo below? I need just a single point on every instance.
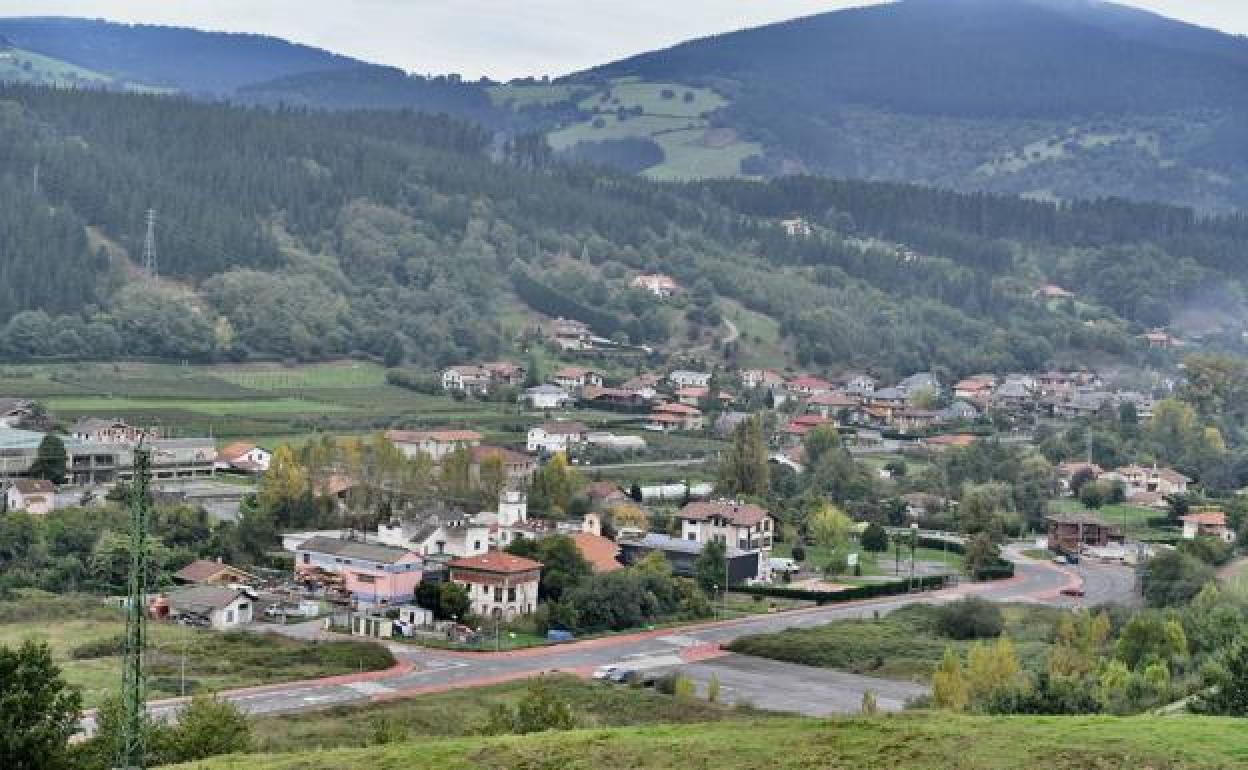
(84, 636)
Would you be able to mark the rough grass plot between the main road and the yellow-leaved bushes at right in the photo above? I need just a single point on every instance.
(904, 645)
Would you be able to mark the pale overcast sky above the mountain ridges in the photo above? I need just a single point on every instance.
(504, 38)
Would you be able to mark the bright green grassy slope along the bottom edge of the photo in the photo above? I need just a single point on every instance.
(913, 742)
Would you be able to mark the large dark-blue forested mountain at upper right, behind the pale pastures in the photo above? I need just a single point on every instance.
(1050, 98)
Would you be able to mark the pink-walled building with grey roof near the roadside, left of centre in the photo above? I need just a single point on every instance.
(373, 573)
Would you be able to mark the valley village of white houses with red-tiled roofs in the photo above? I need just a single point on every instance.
(383, 572)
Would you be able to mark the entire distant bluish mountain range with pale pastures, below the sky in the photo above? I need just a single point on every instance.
(1049, 99)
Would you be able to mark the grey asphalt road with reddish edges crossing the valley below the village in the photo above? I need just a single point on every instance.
(764, 683)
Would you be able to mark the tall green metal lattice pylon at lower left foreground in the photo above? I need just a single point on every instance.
(133, 754)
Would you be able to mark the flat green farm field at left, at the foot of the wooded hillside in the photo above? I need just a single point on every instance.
(270, 404)
